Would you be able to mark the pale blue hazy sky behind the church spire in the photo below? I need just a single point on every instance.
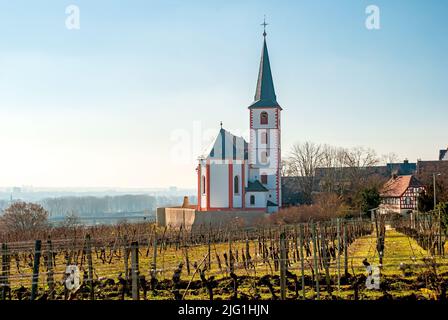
(132, 97)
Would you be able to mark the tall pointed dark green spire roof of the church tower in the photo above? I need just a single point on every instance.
(265, 92)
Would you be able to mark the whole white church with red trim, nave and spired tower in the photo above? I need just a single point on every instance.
(234, 175)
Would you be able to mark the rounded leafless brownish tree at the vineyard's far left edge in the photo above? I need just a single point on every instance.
(22, 217)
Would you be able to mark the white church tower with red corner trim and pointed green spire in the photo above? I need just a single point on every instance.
(265, 133)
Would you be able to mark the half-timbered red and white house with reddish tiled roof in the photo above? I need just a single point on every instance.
(400, 194)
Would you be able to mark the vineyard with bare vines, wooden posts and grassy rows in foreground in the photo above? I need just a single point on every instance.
(339, 259)
